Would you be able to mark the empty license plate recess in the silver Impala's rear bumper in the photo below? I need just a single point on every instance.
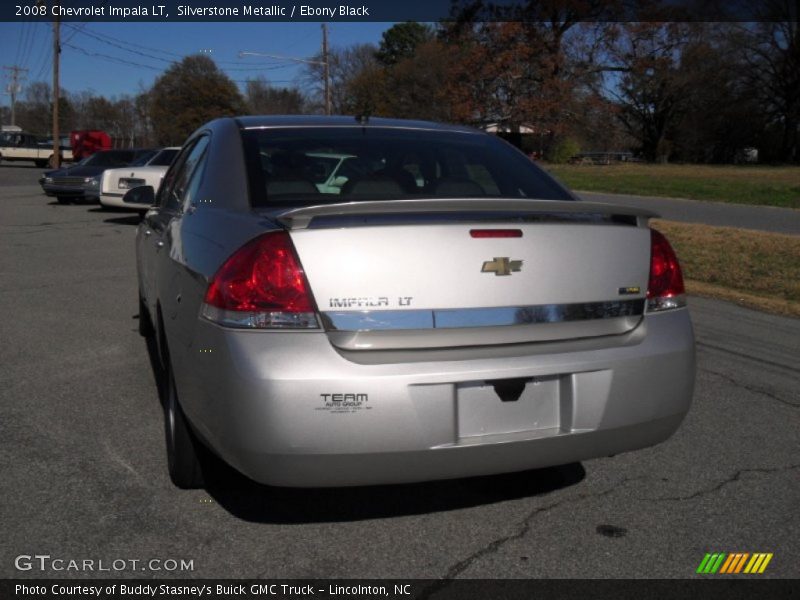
(481, 410)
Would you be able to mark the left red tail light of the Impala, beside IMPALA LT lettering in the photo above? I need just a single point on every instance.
(261, 286)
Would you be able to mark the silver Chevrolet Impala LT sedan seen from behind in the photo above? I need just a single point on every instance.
(348, 301)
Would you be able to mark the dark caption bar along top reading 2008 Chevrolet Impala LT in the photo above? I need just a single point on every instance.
(390, 11)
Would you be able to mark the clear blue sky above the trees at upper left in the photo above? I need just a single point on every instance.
(112, 59)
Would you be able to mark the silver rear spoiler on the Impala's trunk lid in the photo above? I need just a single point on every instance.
(300, 218)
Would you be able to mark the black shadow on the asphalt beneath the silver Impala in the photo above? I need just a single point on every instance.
(255, 502)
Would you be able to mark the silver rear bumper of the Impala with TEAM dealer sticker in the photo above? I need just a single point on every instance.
(267, 403)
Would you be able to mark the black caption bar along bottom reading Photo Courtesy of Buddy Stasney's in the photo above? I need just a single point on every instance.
(711, 588)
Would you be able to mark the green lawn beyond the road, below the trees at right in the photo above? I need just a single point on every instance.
(767, 186)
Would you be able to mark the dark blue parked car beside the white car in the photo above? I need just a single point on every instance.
(82, 181)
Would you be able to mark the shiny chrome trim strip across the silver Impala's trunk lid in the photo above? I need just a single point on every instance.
(383, 320)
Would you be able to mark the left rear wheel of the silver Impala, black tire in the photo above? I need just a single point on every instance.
(183, 448)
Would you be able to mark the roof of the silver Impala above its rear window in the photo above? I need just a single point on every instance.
(267, 121)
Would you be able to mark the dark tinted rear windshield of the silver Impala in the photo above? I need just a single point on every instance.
(321, 165)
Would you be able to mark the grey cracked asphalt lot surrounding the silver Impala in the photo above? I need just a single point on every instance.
(83, 472)
